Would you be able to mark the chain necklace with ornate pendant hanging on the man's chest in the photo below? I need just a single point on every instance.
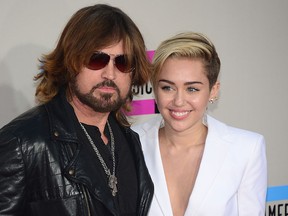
(112, 179)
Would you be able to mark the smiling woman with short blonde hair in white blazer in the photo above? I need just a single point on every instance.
(199, 165)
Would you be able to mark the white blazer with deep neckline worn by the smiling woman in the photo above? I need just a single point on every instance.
(232, 179)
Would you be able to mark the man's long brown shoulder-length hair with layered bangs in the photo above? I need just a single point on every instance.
(89, 29)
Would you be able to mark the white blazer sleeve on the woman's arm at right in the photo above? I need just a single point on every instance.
(253, 188)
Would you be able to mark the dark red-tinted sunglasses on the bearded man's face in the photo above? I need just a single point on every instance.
(100, 60)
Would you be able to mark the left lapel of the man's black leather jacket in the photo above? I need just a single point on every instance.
(63, 123)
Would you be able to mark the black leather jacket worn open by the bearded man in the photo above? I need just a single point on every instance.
(44, 169)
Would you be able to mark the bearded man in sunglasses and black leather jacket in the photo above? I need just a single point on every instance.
(75, 153)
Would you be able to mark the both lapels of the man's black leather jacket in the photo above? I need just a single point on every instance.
(63, 123)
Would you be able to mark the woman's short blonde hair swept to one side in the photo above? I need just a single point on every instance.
(188, 45)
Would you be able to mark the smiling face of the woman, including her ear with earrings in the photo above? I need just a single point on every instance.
(182, 93)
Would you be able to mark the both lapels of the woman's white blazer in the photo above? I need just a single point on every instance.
(212, 161)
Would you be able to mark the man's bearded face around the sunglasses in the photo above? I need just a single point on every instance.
(106, 89)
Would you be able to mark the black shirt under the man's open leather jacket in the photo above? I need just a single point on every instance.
(126, 198)
